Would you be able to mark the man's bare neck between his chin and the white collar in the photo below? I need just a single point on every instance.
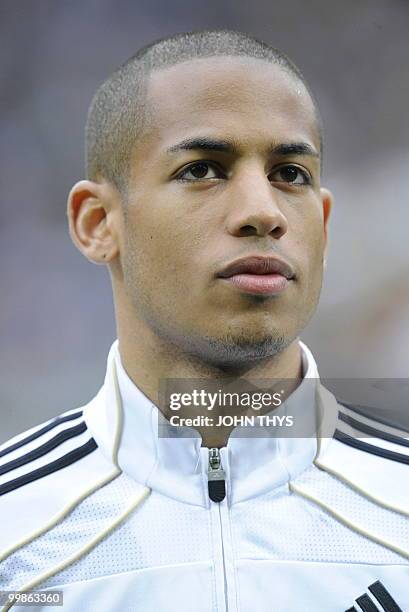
(148, 359)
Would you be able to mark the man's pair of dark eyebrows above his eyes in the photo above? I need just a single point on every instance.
(225, 146)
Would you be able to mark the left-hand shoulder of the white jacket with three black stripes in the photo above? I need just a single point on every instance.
(44, 472)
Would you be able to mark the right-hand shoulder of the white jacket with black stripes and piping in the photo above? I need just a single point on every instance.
(359, 475)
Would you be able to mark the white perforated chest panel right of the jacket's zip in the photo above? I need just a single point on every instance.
(286, 527)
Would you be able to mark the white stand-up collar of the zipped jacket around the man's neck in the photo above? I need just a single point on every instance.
(124, 423)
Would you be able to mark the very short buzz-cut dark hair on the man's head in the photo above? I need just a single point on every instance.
(118, 111)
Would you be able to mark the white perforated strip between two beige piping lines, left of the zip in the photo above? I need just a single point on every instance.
(91, 517)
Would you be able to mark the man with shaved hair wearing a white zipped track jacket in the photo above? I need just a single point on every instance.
(203, 197)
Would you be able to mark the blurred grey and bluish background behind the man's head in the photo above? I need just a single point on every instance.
(56, 310)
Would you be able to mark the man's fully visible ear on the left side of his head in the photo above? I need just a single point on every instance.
(91, 216)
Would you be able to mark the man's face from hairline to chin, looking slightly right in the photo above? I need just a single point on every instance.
(192, 211)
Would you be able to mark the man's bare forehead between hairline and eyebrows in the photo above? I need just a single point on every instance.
(249, 100)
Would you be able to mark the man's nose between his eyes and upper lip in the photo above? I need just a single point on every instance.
(255, 210)
